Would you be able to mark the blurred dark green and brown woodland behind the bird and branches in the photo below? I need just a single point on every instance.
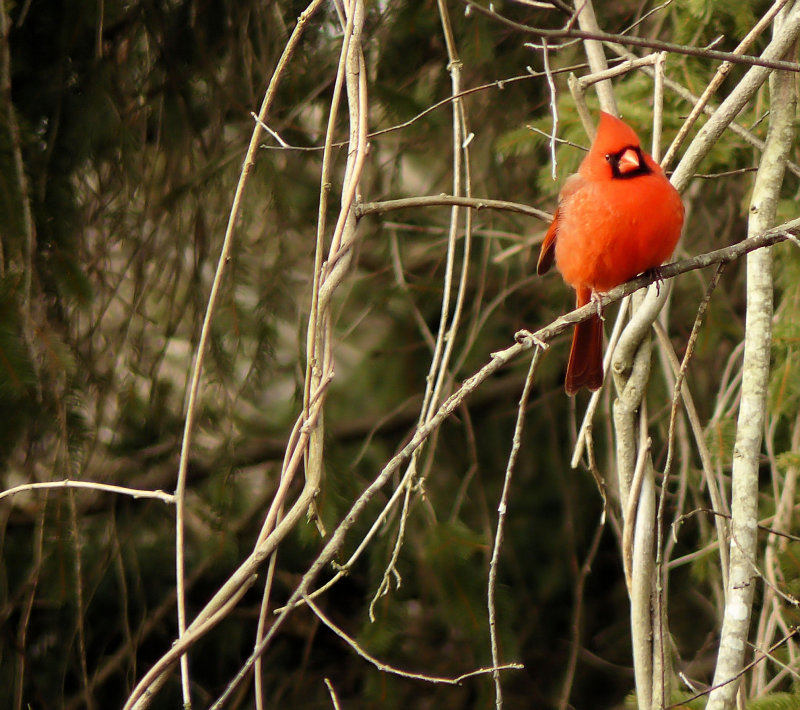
(122, 134)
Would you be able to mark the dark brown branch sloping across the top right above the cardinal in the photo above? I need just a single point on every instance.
(570, 33)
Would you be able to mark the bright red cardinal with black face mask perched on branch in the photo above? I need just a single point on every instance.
(617, 217)
